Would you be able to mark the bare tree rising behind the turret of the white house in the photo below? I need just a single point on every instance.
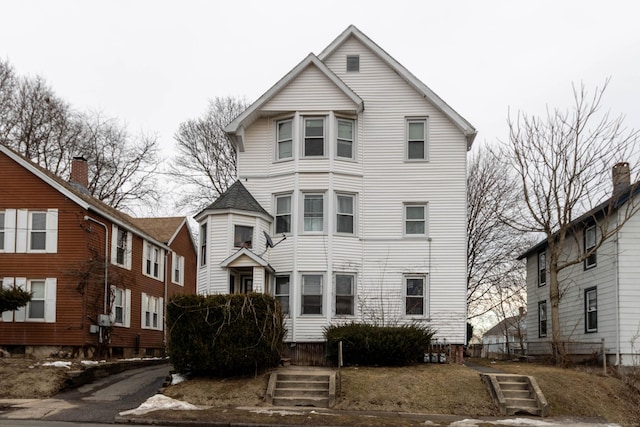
(206, 159)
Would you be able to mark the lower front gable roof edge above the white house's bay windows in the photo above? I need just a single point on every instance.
(235, 129)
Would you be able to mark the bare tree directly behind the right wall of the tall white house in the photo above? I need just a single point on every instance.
(493, 273)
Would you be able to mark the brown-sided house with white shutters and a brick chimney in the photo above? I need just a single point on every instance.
(54, 241)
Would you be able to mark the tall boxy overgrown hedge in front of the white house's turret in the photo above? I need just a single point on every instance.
(224, 335)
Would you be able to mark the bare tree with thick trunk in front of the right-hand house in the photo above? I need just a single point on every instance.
(563, 163)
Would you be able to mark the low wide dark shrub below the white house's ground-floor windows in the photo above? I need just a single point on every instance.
(371, 345)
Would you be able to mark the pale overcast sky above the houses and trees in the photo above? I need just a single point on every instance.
(154, 64)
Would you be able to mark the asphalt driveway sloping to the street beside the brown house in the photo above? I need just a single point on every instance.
(98, 402)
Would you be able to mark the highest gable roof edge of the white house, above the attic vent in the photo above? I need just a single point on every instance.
(465, 127)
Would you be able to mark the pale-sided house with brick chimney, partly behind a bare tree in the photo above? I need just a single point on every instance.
(600, 296)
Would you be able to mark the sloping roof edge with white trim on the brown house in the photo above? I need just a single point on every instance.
(81, 197)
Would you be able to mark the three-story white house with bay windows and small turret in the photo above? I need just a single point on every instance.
(363, 169)
